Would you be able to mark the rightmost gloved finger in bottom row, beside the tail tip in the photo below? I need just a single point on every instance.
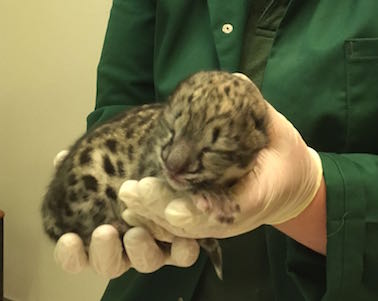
(184, 252)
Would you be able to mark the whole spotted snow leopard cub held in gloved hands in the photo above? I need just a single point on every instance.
(201, 140)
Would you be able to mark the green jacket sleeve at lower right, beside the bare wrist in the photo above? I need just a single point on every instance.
(352, 225)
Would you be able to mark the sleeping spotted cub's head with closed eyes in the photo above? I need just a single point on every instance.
(212, 127)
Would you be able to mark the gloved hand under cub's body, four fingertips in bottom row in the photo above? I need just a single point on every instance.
(106, 253)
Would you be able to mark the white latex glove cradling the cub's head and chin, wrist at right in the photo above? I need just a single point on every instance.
(282, 184)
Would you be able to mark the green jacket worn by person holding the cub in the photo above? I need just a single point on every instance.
(322, 74)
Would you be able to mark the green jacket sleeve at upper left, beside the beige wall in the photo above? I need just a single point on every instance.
(125, 70)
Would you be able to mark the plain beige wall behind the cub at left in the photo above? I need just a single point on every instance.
(49, 51)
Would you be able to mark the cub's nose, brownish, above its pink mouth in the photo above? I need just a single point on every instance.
(178, 157)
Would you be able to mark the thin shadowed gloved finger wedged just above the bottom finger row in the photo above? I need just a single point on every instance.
(157, 231)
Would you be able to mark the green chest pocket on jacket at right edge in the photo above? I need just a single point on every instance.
(361, 67)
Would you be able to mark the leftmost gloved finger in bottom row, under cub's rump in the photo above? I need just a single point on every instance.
(70, 254)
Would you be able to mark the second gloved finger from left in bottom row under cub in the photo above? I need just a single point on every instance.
(106, 254)
